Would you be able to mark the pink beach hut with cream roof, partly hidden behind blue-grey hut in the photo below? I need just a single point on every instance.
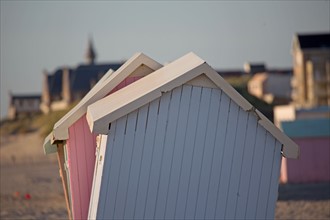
(76, 145)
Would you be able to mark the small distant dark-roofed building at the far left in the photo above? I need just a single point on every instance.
(22, 105)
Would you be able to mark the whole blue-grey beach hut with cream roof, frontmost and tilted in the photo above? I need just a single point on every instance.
(181, 143)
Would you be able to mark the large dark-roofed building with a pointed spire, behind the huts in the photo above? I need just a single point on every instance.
(67, 85)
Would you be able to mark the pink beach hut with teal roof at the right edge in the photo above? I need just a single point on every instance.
(313, 137)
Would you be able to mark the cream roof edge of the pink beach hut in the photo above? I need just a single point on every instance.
(108, 82)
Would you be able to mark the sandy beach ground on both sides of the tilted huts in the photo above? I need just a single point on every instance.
(30, 186)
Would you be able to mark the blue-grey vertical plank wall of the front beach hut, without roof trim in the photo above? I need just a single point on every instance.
(193, 153)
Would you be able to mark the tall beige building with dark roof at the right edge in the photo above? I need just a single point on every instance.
(311, 64)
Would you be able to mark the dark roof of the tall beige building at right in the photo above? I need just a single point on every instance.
(309, 41)
